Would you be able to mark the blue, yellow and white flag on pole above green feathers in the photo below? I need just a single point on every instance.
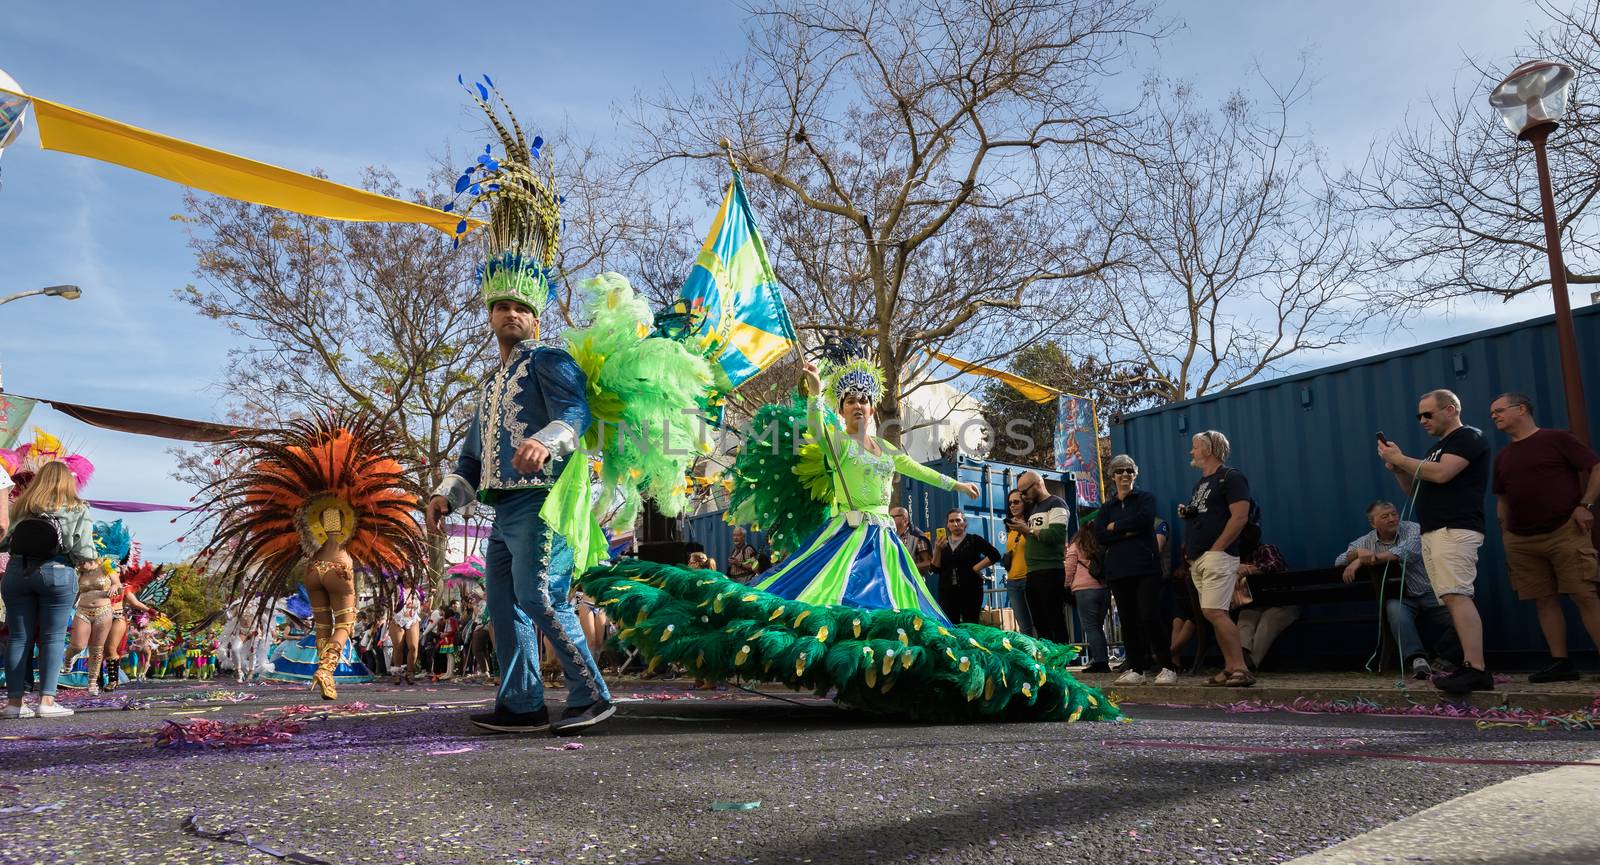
(730, 308)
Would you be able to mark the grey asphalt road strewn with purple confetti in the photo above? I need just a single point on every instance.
(406, 779)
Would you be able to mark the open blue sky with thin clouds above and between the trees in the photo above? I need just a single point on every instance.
(335, 87)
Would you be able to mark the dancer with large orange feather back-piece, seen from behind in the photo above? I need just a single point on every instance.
(321, 500)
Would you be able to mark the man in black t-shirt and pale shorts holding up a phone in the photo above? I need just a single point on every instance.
(1449, 485)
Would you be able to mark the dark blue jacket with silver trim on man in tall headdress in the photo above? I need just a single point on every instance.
(538, 394)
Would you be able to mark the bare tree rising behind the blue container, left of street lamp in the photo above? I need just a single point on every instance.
(1241, 257)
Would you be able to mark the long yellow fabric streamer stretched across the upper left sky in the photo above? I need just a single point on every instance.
(98, 138)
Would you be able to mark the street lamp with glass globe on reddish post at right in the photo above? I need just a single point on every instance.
(1532, 102)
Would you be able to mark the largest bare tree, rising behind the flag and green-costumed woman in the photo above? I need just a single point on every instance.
(919, 164)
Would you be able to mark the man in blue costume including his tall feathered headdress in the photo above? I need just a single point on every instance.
(532, 415)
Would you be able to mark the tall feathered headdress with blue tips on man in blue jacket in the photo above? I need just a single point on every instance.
(524, 209)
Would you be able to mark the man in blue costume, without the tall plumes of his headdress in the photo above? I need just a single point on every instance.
(529, 423)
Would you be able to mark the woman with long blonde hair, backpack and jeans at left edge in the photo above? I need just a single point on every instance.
(49, 540)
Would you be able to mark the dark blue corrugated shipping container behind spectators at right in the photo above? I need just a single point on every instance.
(1308, 445)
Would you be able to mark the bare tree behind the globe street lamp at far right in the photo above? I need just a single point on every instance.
(1458, 194)
